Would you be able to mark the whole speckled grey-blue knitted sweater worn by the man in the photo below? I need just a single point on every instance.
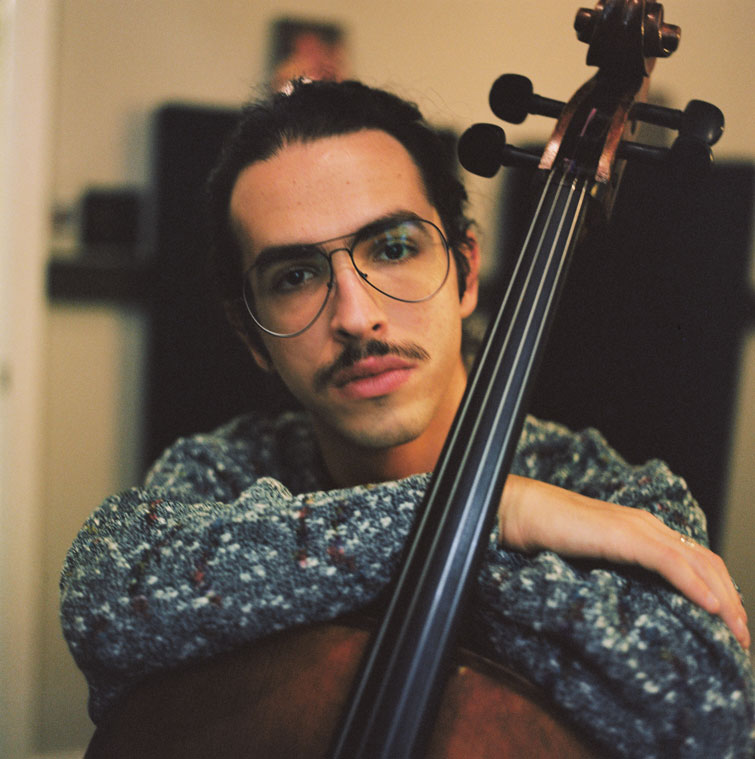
(235, 535)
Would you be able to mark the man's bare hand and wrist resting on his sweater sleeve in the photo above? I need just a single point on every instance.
(535, 515)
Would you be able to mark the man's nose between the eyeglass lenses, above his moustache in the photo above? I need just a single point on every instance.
(356, 308)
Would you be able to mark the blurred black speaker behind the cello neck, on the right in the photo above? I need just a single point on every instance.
(648, 334)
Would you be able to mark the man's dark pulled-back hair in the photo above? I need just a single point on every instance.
(314, 110)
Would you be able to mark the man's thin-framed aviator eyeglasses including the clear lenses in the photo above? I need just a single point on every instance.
(287, 287)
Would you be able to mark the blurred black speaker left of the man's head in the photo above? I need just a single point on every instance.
(200, 374)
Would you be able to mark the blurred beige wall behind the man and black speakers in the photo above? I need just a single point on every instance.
(115, 61)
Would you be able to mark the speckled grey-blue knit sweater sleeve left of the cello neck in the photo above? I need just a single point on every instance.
(163, 575)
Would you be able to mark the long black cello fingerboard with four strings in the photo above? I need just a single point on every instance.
(399, 685)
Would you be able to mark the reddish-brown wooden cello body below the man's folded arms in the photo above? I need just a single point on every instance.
(281, 698)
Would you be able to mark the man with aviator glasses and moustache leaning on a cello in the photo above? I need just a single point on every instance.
(347, 265)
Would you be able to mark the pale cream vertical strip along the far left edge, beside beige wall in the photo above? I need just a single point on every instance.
(25, 105)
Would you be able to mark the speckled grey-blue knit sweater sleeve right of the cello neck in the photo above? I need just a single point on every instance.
(640, 668)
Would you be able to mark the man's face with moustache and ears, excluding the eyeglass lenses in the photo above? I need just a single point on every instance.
(373, 372)
